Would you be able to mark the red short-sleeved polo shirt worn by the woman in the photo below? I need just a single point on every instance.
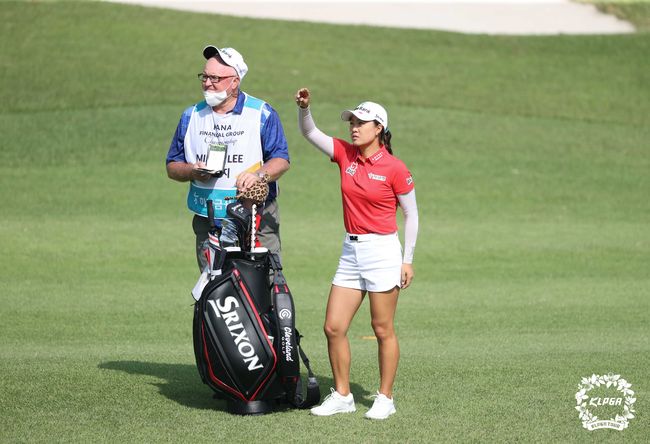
(369, 188)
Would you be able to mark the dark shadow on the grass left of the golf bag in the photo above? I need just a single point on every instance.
(182, 382)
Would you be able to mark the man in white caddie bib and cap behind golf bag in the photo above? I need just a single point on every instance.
(247, 129)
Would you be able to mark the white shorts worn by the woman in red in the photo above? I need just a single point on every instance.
(370, 262)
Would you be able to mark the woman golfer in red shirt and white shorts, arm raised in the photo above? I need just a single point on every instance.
(373, 183)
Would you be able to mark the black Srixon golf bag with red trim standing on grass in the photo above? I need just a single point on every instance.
(246, 345)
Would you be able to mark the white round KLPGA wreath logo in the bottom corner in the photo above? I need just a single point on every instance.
(605, 396)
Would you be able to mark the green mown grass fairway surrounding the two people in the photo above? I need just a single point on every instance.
(531, 157)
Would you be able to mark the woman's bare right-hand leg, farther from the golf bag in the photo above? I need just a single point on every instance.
(382, 312)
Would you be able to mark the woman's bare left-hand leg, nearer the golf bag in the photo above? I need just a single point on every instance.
(342, 304)
